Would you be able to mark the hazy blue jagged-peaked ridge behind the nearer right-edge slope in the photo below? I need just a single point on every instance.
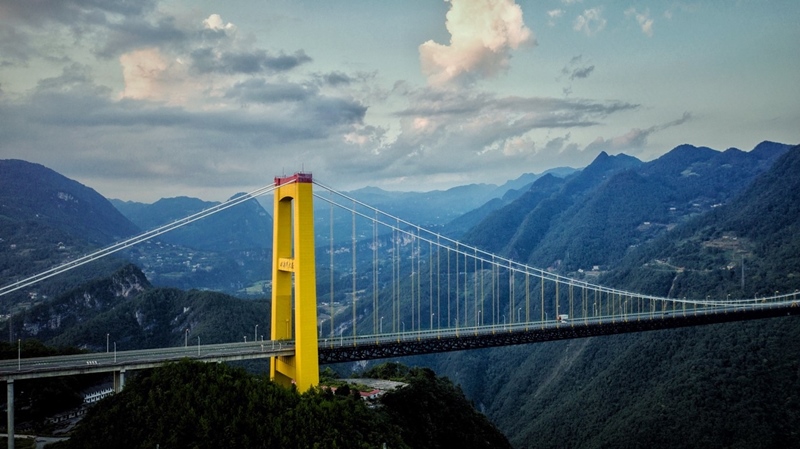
(618, 203)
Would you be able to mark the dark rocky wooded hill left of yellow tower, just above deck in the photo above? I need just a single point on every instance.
(136, 315)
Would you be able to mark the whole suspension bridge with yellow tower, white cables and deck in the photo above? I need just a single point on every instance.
(393, 289)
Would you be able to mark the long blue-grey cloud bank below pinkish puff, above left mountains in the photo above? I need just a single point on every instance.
(77, 128)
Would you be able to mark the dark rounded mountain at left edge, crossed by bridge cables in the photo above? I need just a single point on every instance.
(47, 219)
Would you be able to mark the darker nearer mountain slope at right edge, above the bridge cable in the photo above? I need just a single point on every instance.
(759, 229)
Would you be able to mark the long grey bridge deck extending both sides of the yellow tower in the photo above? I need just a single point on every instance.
(369, 347)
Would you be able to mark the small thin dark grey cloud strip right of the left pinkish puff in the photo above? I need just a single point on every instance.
(209, 60)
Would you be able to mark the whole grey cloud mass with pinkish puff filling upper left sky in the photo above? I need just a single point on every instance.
(201, 104)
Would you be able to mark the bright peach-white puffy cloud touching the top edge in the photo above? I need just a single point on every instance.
(482, 35)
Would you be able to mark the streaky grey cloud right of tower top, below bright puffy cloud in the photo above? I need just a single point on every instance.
(466, 135)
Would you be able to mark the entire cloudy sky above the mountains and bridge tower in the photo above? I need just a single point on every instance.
(162, 98)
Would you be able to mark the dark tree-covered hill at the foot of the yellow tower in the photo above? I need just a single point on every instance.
(190, 404)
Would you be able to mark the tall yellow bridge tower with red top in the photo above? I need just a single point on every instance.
(294, 305)
